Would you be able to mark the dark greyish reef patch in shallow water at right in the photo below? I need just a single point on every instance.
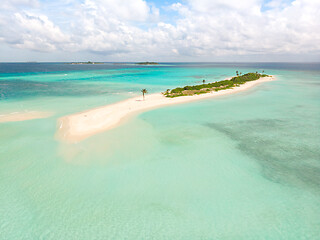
(286, 156)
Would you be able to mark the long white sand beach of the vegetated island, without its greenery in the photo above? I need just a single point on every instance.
(76, 127)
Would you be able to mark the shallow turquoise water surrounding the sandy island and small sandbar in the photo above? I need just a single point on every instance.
(245, 166)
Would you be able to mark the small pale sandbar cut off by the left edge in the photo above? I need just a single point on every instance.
(22, 116)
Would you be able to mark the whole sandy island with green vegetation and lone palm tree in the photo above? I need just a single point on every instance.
(78, 126)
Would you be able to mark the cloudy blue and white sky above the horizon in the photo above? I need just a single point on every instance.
(155, 30)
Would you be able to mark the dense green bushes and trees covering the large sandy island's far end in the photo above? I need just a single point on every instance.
(215, 86)
